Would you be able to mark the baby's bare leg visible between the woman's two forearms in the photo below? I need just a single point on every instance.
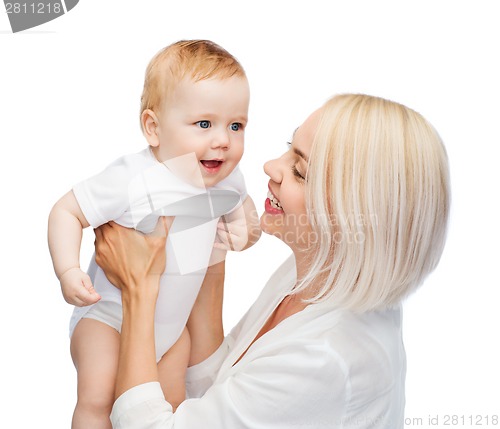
(172, 370)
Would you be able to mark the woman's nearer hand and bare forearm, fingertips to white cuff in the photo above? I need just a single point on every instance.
(134, 263)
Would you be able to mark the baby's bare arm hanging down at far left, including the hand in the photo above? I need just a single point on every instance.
(66, 222)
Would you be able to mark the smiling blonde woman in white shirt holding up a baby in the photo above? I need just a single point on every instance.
(362, 199)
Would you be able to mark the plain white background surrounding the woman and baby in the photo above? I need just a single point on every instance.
(69, 100)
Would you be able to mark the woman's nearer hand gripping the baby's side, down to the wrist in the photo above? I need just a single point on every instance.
(131, 259)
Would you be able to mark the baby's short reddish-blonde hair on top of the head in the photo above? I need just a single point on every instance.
(194, 59)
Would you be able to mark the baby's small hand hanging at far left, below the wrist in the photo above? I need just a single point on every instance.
(77, 288)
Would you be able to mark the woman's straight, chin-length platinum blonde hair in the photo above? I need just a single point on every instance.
(378, 199)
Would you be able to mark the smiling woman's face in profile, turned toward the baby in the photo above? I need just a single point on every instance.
(285, 213)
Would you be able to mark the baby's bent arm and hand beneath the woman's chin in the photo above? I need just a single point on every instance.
(239, 229)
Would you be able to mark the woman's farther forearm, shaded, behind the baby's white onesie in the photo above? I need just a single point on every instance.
(205, 322)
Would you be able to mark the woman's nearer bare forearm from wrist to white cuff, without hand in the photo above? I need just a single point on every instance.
(137, 359)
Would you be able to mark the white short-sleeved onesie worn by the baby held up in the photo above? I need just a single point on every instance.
(134, 191)
